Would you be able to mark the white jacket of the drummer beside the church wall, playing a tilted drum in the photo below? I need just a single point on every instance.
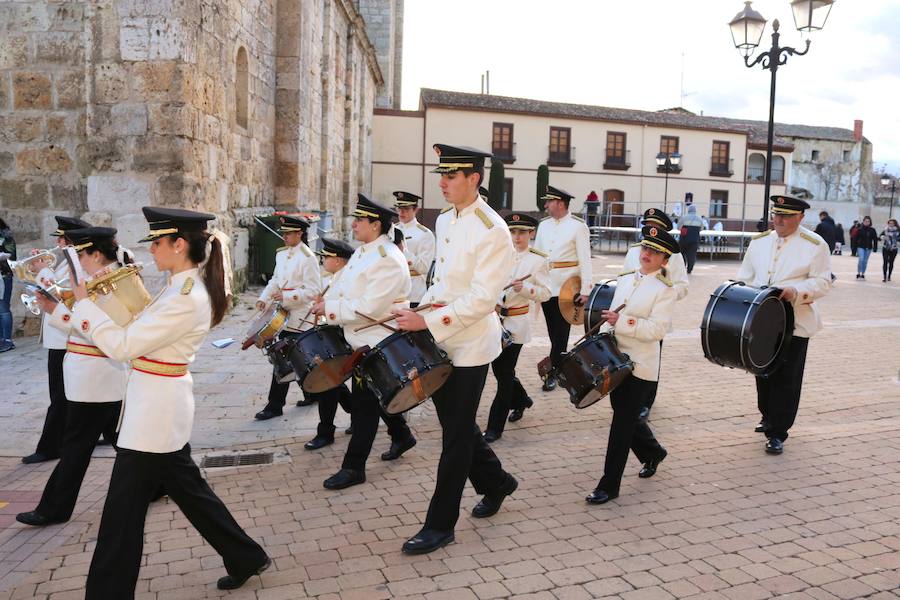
(296, 274)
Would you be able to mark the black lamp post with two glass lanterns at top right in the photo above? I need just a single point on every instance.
(747, 28)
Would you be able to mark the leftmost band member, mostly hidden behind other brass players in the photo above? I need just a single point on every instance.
(54, 341)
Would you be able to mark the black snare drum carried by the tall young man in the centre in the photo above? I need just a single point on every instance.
(404, 369)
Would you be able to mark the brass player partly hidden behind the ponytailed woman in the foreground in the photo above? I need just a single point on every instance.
(92, 410)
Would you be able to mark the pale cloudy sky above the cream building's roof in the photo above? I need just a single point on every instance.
(629, 54)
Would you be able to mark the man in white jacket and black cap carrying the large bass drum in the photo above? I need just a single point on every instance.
(797, 261)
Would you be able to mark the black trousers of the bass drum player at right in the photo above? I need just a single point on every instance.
(778, 396)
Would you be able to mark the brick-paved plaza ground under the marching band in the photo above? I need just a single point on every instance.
(721, 519)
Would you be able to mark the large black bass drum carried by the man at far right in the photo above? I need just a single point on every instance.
(747, 328)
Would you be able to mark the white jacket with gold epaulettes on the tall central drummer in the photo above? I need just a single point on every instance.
(474, 262)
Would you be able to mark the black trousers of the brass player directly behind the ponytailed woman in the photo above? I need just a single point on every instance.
(85, 422)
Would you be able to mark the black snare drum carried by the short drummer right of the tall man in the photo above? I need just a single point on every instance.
(593, 369)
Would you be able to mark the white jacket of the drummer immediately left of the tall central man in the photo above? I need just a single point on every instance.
(374, 281)
